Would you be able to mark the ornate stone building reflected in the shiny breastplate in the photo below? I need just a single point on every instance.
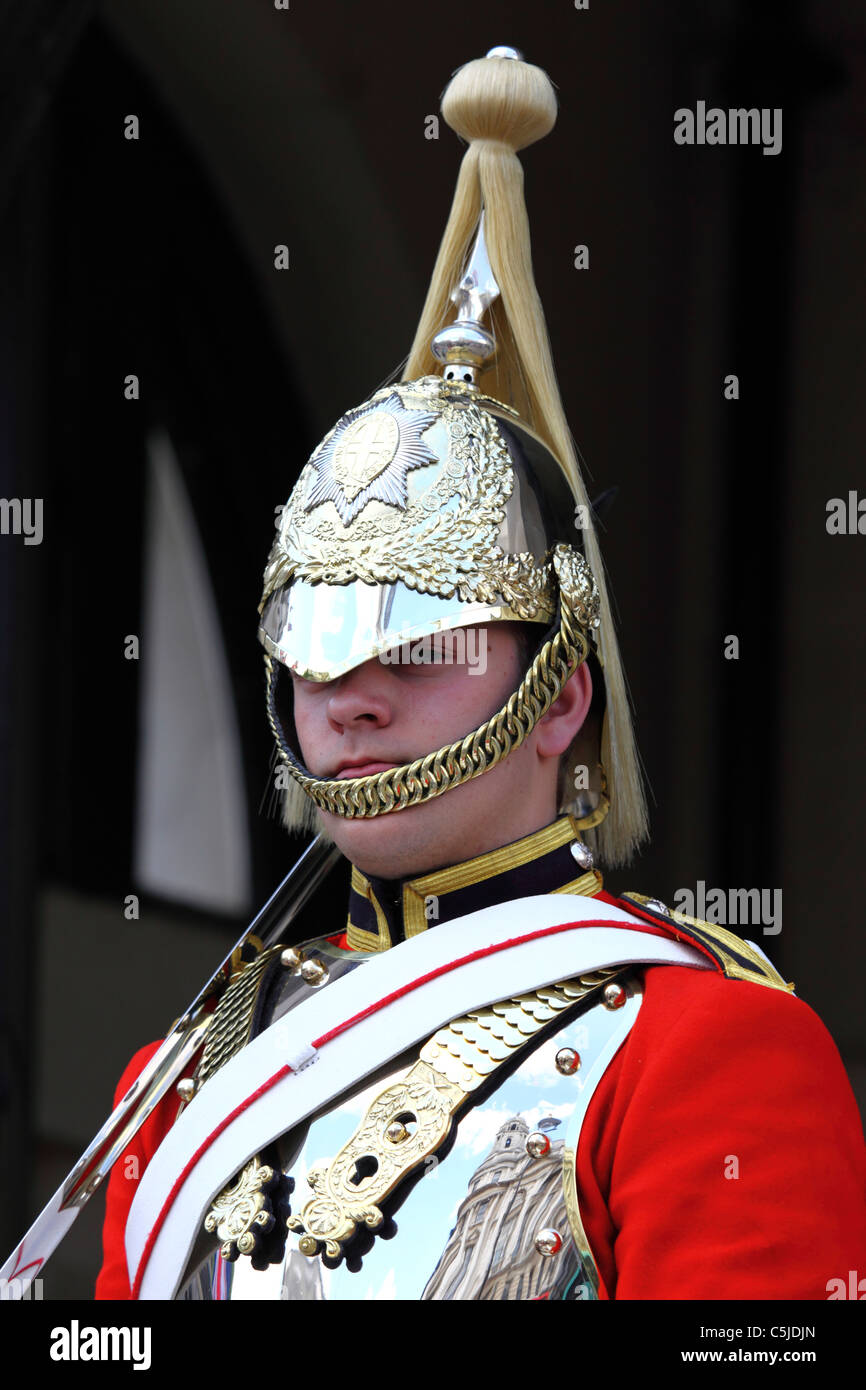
(491, 1252)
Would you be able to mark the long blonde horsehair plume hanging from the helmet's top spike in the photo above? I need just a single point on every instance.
(501, 106)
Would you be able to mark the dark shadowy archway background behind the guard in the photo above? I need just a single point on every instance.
(156, 256)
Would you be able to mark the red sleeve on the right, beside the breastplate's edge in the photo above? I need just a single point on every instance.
(722, 1156)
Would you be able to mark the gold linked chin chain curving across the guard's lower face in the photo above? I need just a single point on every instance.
(490, 744)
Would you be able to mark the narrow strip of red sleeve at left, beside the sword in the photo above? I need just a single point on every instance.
(113, 1281)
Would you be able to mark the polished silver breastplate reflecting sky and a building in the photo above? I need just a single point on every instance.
(496, 1213)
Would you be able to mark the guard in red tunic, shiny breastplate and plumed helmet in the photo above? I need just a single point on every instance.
(498, 1081)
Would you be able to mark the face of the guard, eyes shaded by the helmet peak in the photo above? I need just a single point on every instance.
(380, 717)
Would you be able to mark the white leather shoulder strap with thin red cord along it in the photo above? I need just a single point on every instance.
(402, 996)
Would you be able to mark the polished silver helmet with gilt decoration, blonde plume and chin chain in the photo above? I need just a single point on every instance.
(439, 507)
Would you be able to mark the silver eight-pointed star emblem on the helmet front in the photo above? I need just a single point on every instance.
(369, 457)
